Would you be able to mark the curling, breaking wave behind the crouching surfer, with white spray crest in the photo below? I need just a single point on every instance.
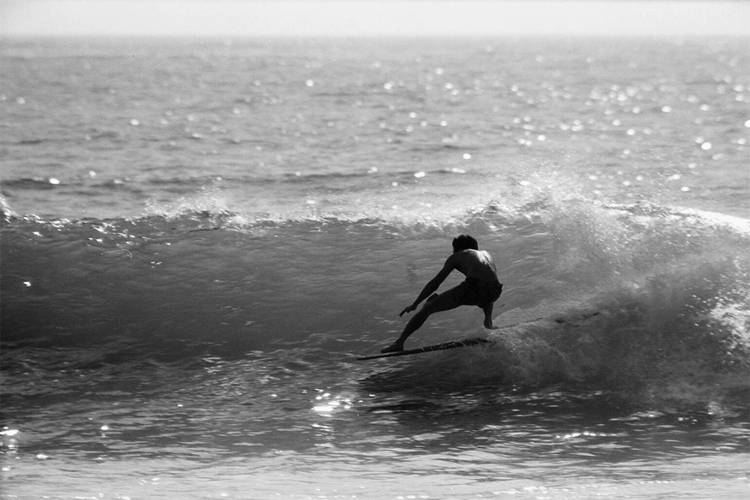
(642, 300)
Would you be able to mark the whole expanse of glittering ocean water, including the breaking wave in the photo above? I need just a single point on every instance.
(200, 237)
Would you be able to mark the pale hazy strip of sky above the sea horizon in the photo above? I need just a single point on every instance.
(373, 18)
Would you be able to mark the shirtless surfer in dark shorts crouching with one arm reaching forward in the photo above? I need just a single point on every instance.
(481, 288)
